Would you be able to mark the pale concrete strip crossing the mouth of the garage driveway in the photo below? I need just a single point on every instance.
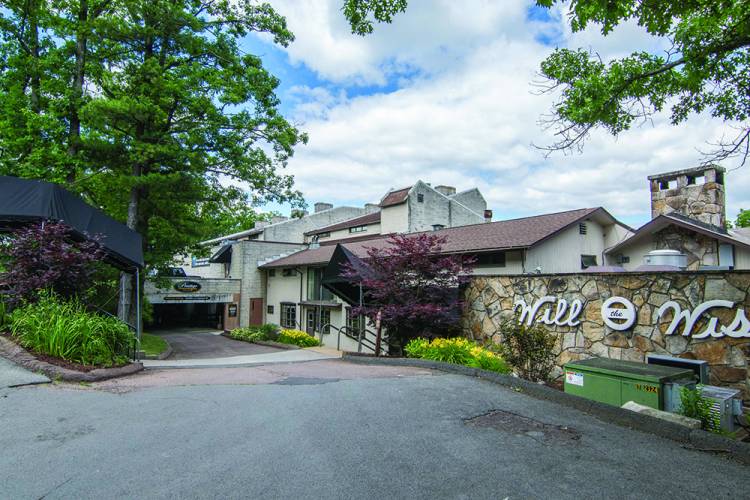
(312, 354)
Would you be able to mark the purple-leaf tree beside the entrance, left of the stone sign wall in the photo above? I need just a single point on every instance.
(413, 285)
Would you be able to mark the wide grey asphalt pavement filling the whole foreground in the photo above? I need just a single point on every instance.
(331, 430)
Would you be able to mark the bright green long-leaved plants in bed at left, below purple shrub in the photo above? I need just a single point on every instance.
(64, 329)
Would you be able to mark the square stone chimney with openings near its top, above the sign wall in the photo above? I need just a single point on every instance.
(697, 193)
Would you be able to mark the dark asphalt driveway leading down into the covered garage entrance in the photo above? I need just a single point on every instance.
(196, 343)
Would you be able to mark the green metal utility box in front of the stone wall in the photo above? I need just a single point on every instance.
(616, 382)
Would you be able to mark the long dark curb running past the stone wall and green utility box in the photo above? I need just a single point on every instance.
(696, 439)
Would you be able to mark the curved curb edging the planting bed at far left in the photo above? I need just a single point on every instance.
(20, 356)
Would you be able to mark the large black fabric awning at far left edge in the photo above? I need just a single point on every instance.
(24, 200)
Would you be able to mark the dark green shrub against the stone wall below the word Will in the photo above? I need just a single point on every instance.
(528, 349)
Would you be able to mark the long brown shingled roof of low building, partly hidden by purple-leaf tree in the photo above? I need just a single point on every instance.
(483, 237)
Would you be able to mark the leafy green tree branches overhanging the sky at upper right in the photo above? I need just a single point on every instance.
(705, 70)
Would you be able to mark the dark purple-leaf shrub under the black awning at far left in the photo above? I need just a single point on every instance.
(45, 256)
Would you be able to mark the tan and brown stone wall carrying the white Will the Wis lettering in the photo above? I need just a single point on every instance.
(489, 300)
